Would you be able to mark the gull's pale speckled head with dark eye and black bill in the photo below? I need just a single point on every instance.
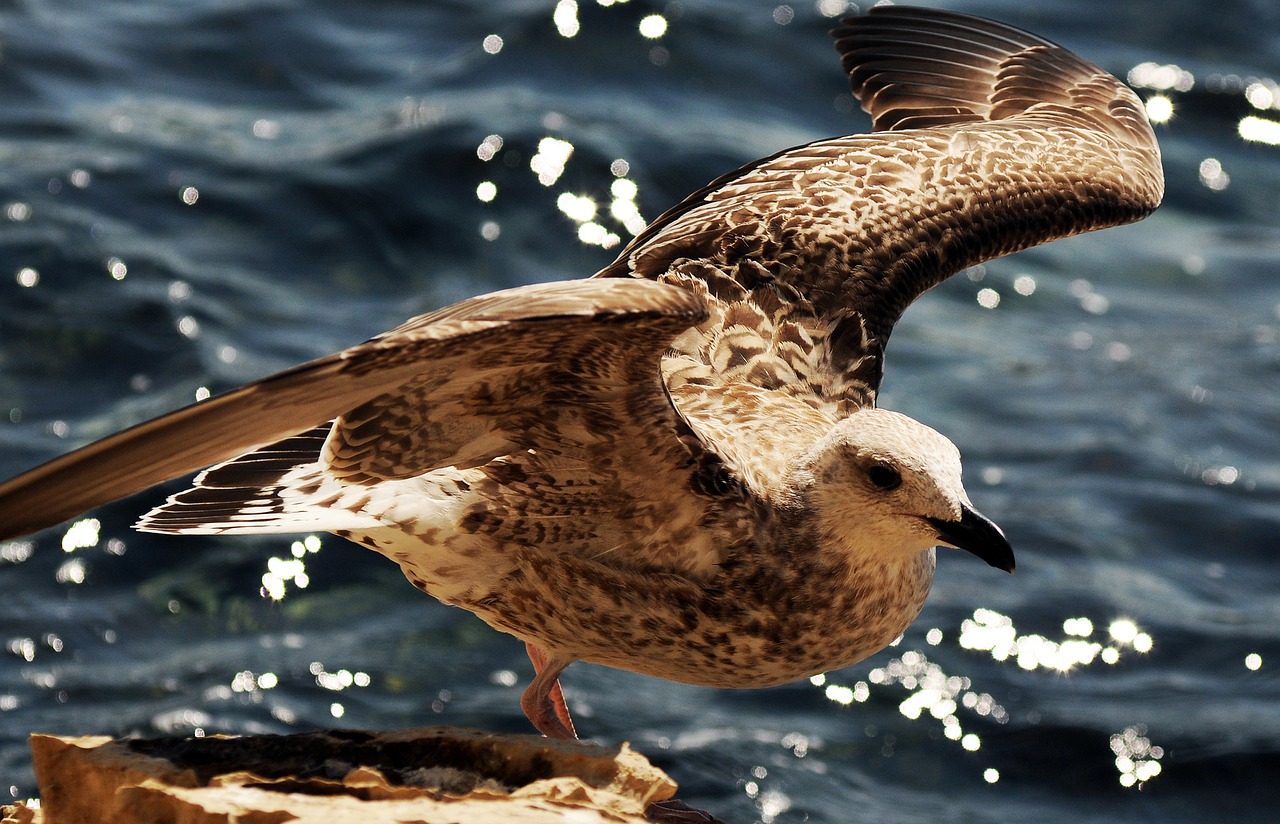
(886, 486)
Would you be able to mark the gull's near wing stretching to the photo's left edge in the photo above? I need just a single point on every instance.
(458, 387)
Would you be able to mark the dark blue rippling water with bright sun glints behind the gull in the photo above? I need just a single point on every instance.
(196, 194)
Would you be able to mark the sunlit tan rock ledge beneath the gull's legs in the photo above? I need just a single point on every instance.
(428, 775)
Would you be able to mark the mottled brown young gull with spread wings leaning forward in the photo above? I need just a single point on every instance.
(678, 468)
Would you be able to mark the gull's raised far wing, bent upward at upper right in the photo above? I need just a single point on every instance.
(988, 140)
